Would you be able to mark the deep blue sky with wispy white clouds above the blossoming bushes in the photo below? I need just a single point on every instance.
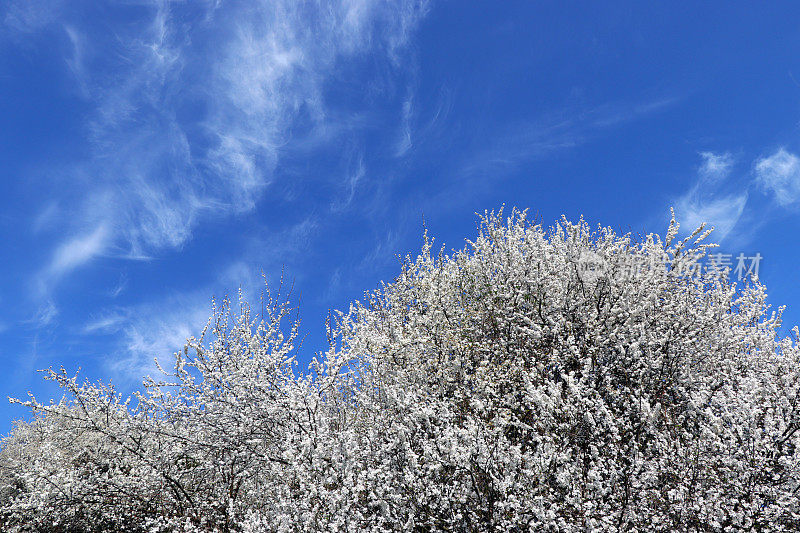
(155, 154)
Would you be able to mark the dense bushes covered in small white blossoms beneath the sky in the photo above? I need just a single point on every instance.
(505, 387)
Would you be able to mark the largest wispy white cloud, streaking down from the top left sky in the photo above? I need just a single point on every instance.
(194, 105)
